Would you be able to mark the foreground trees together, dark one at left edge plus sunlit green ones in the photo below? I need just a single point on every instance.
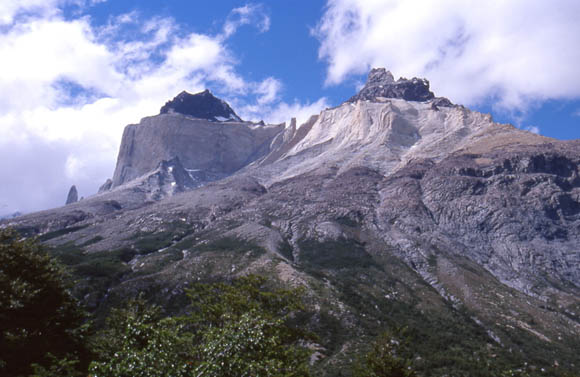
(233, 328)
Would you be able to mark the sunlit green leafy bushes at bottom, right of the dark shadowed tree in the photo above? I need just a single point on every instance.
(233, 329)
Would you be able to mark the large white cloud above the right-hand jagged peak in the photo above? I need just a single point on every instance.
(515, 53)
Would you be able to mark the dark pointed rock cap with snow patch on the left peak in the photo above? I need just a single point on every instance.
(203, 105)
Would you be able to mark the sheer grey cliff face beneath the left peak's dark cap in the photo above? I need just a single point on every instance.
(207, 148)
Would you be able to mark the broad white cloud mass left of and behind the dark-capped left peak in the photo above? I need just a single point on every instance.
(70, 87)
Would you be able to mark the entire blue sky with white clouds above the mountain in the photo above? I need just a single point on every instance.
(73, 73)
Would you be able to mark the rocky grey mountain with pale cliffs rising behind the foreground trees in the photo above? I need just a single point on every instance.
(396, 209)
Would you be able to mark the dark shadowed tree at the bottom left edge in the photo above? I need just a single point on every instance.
(40, 322)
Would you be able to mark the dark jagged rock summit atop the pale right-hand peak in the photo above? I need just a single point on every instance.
(381, 83)
